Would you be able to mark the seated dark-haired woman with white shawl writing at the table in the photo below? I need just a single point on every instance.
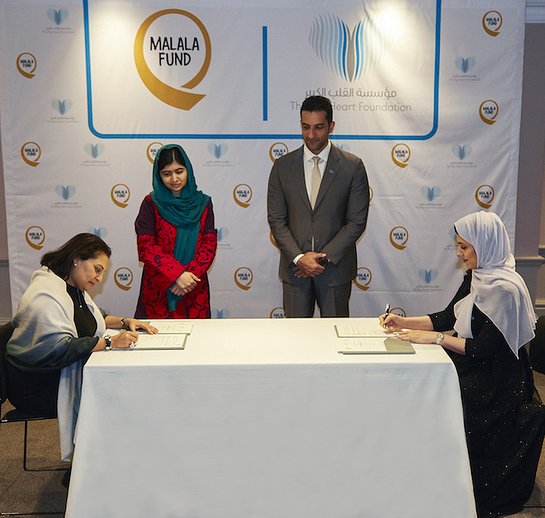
(56, 327)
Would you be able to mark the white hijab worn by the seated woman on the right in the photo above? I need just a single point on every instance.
(496, 288)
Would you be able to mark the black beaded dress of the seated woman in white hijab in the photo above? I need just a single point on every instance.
(504, 425)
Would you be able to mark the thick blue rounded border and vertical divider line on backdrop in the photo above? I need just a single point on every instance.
(265, 93)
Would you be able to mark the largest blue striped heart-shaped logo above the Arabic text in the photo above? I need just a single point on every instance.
(339, 49)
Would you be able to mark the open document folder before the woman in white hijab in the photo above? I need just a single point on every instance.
(354, 339)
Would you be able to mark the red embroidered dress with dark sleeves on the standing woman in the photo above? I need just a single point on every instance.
(155, 240)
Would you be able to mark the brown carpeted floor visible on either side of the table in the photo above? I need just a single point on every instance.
(22, 491)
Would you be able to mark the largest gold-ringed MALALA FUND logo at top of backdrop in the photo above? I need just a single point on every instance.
(172, 52)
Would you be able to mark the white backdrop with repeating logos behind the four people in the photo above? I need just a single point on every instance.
(427, 92)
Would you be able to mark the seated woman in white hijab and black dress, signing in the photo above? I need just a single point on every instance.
(491, 318)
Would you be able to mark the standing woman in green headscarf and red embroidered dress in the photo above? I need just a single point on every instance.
(176, 241)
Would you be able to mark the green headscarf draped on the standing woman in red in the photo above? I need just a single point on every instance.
(184, 212)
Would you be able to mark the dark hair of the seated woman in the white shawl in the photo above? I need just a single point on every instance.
(82, 246)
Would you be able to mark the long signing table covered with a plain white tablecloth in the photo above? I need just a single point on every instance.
(263, 418)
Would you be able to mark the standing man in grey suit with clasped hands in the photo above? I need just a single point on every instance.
(317, 205)
